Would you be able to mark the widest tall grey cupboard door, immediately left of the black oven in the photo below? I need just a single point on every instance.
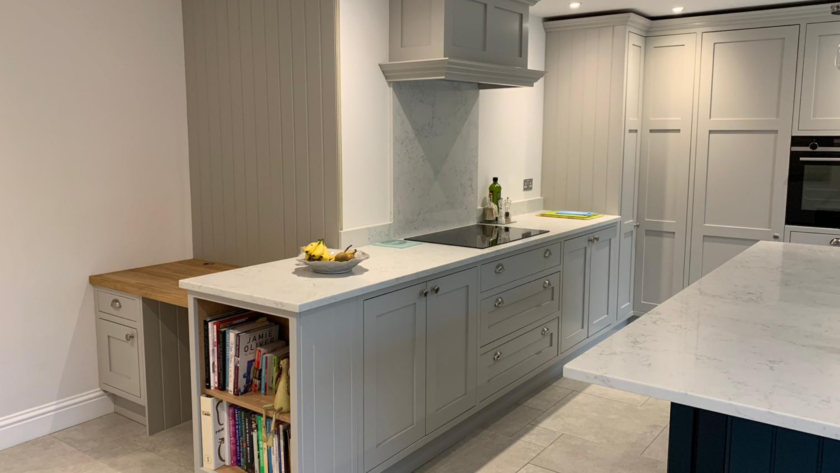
(747, 81)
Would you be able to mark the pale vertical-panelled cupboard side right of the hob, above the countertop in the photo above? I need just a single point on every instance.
(582, 155)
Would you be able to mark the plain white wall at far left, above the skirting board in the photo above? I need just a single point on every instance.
(93, 175)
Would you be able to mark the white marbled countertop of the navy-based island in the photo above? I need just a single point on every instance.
(758, 338)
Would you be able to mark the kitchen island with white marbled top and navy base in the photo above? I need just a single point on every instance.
(749, 357)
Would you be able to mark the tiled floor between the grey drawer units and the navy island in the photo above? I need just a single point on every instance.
(567, 427)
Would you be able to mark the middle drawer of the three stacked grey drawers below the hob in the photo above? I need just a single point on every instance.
(509, 311)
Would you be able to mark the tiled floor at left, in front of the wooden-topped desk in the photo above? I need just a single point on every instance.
(110, 444)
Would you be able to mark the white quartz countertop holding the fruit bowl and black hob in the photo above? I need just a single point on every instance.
(289, 285)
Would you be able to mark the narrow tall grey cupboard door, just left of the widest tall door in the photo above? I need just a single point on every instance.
(665, 156)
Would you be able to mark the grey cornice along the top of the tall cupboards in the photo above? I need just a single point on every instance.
(648, 26)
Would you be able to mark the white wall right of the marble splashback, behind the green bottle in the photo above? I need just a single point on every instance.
(510, 129)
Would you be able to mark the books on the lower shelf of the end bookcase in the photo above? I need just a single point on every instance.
(234, 436)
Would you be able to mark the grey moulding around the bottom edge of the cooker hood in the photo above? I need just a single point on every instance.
(486, 75)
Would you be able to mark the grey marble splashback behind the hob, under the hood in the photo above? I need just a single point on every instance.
(435, 156)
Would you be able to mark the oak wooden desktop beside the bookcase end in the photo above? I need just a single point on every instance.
(159, 282)
